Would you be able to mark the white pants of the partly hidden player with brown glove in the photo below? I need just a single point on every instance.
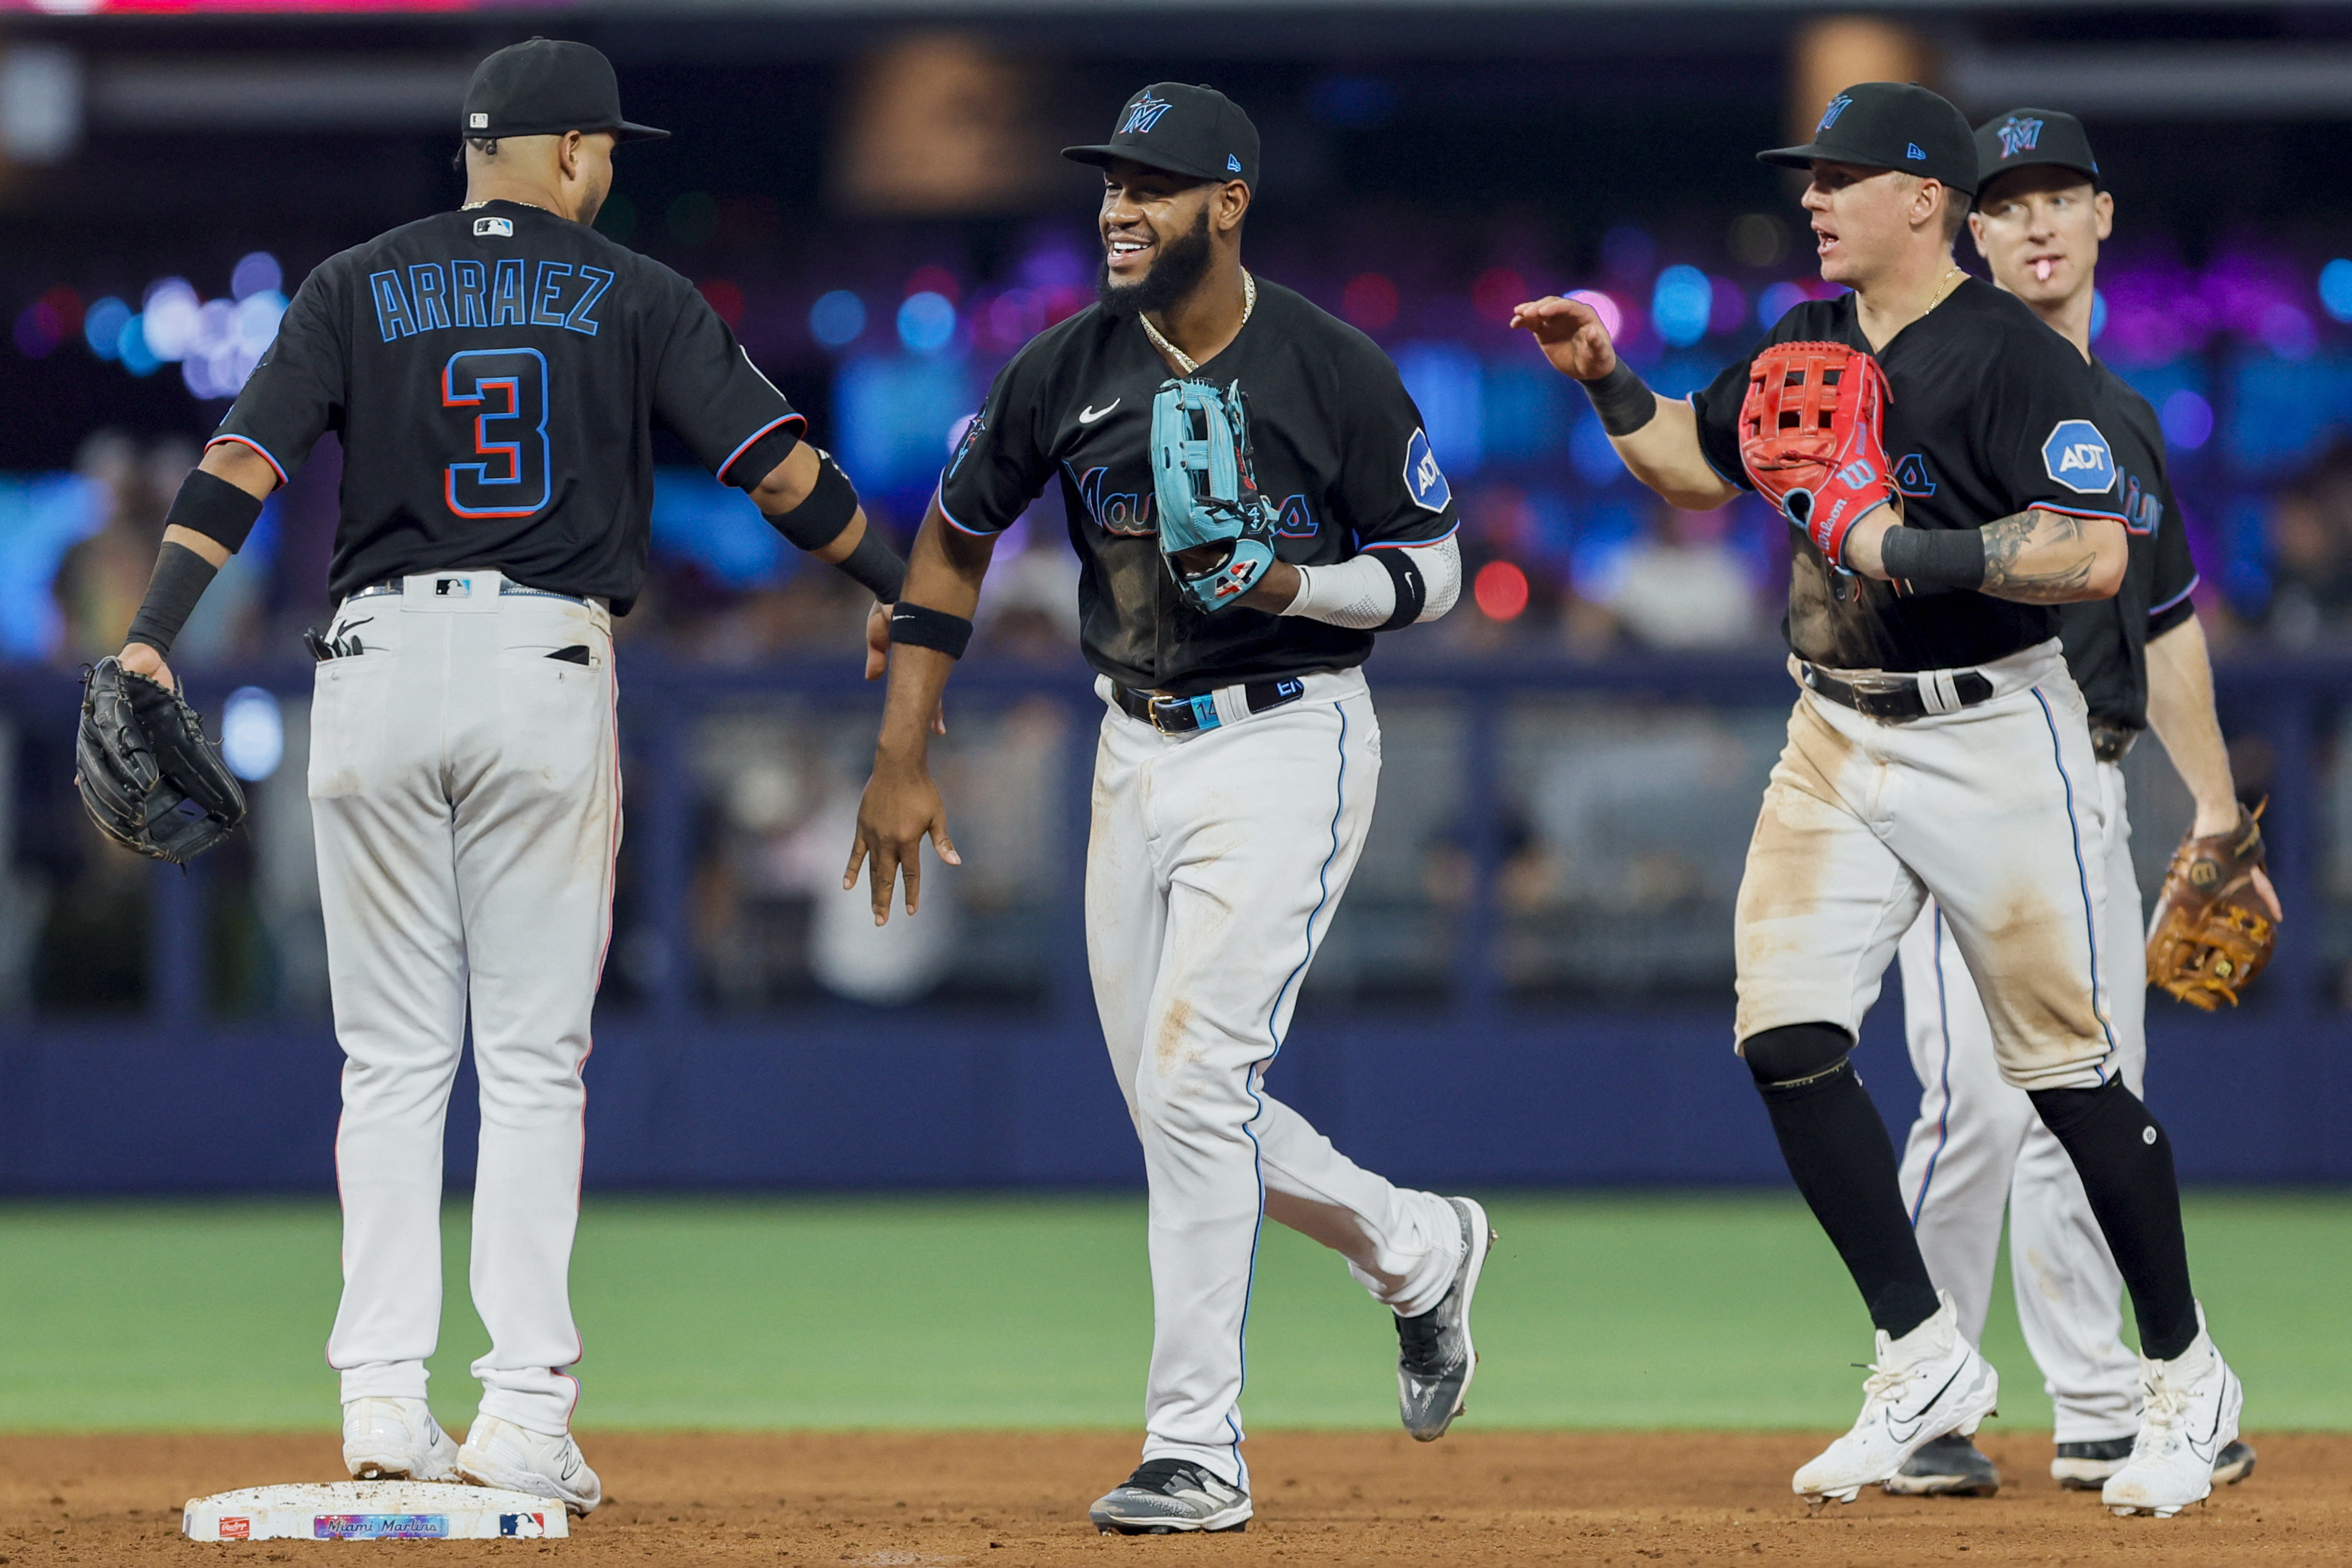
(1979, 1148)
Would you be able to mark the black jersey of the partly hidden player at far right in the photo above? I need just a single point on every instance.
(2106, 641)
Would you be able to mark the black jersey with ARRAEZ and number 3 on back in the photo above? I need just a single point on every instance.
(495, 377)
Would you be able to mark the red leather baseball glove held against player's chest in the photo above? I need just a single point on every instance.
(1810, 438)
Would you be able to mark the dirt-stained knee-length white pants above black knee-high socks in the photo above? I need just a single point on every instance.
(1996, 812)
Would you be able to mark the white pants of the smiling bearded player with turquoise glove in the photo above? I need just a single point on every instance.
(1212, 873)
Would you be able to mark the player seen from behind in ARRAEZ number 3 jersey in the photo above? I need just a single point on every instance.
(495, 375)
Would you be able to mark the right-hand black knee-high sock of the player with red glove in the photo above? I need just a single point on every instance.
(2127, 1172)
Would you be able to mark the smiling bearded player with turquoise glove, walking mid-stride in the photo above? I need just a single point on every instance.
(1252, 500)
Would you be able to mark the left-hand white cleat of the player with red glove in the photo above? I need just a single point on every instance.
(1925, 1386)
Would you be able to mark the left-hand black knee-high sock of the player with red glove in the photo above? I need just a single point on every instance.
(1845, 1167)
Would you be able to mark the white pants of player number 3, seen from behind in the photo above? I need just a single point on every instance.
(467, 800)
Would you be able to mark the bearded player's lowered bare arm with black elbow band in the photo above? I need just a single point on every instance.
(902, 805)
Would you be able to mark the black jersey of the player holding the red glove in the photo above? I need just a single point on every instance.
(1989, 415)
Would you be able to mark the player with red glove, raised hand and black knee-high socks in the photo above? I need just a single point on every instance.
(1942, 457)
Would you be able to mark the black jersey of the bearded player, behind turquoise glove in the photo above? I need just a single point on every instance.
(1337, 448)
